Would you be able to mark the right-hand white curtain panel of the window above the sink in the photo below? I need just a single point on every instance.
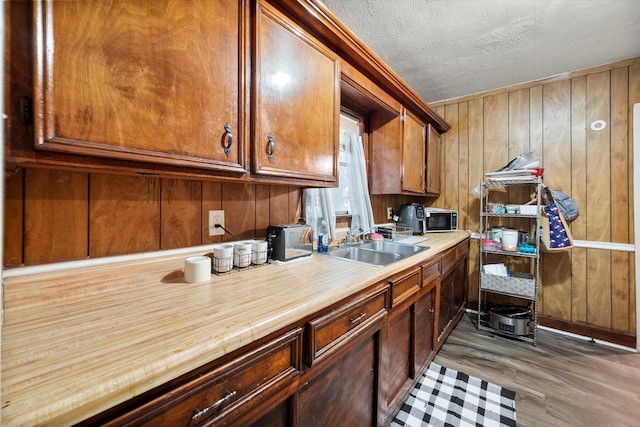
(361, 211)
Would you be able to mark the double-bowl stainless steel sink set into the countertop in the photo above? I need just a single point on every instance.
(376, 254)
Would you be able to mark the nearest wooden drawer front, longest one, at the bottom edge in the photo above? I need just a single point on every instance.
(227, 391)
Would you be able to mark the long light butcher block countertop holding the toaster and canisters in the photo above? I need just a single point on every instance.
(78, 341)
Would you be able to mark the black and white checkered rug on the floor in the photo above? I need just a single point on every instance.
(447, 398)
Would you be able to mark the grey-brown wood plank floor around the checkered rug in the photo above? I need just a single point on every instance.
(563, 381)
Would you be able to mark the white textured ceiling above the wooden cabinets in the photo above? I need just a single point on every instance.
(445, 49)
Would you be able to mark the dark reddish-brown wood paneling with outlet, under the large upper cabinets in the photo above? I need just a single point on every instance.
(53, 215)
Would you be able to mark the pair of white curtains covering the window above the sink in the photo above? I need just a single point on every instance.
(319, 202)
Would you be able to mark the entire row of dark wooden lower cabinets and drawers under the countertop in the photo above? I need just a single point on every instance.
(353, 364)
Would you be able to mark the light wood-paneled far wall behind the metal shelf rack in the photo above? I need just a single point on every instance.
(553, 119)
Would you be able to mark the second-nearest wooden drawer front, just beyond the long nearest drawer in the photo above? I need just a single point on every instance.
(328, 331)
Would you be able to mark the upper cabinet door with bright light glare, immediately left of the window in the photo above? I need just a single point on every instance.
(296, 103)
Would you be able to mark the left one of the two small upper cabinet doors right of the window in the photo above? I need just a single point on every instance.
(413, 157)
